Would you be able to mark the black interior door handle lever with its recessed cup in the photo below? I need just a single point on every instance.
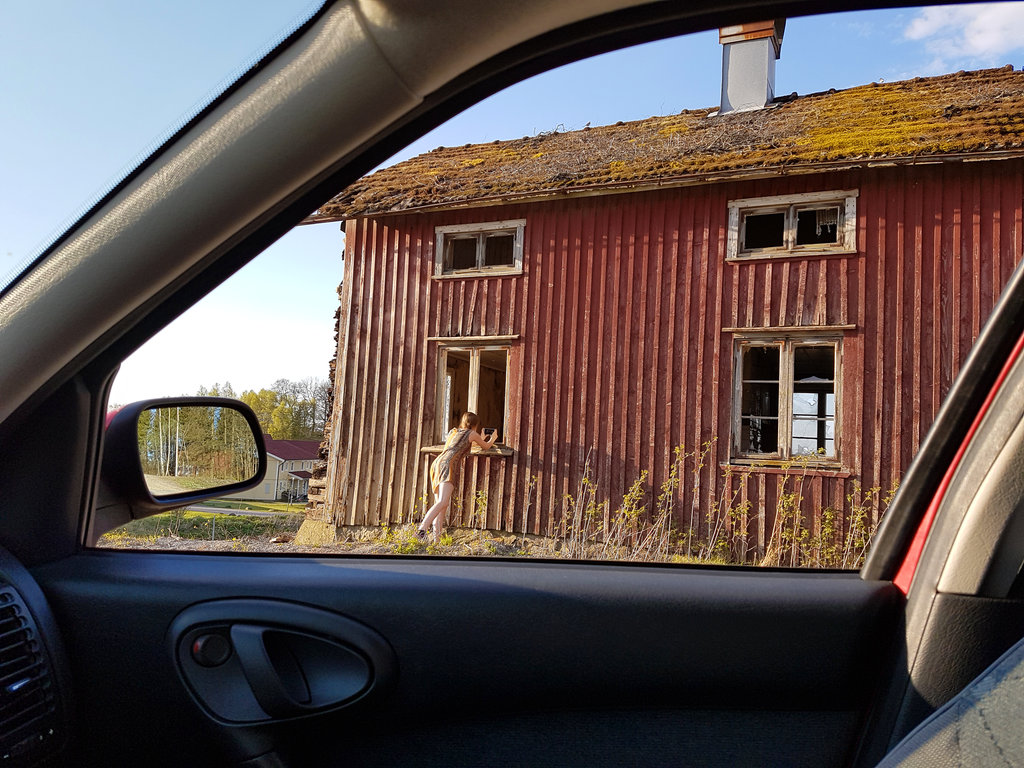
(293, 674)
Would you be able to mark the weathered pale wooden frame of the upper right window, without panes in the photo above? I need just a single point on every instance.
(792, 205)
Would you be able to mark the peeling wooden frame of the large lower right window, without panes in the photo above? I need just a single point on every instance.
(787, 344)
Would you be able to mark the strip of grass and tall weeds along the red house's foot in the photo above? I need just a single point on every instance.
(641, 528)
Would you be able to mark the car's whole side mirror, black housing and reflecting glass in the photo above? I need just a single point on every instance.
(163, 454)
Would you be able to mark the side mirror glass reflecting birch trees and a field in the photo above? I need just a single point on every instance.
(192, 449)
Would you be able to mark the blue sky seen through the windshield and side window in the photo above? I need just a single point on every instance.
(90, 89)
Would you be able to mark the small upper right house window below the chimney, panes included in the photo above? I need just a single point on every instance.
(808, 225)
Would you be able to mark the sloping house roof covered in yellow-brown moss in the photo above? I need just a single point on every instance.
(968, 113)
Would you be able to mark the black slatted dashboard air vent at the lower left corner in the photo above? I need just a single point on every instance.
(29, 718)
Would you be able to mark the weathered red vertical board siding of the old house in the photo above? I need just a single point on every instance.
(622, 357)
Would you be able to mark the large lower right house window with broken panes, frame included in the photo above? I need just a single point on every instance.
(787, 399)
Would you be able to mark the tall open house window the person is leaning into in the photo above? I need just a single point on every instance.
(474, 378)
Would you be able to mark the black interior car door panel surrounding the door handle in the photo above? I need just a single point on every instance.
(543, 662)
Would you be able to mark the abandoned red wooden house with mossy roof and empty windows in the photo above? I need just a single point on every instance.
(787, 292)
